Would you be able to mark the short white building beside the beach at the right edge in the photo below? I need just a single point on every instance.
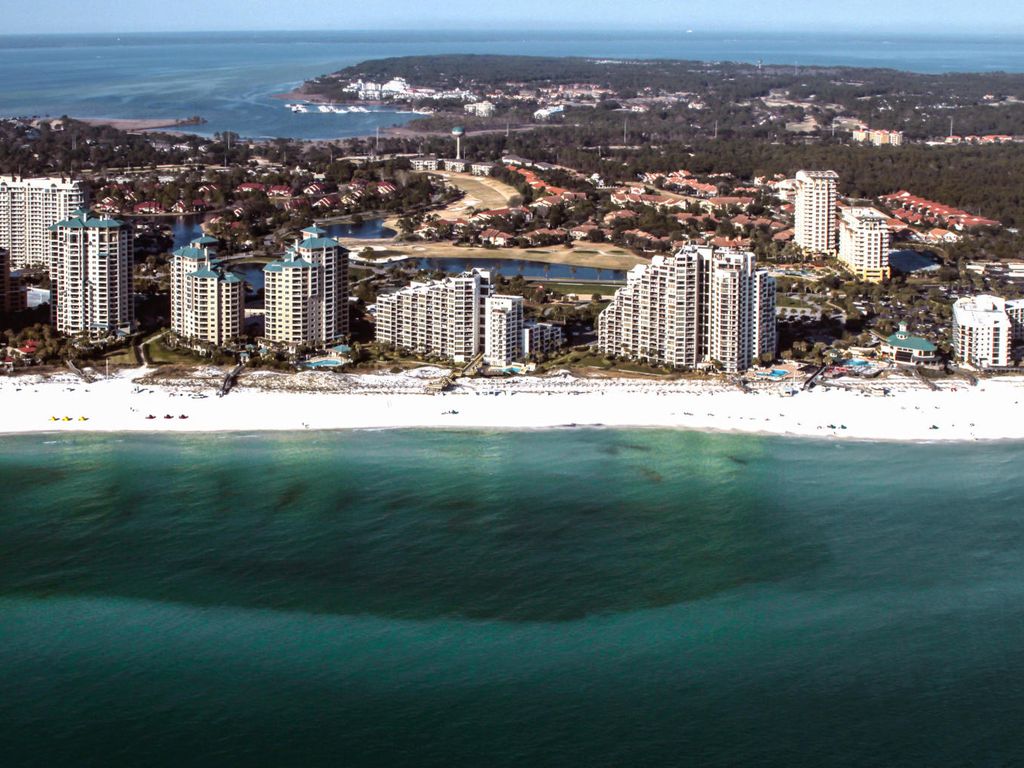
(985, 330)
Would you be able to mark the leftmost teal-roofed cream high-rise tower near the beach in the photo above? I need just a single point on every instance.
(92, 276)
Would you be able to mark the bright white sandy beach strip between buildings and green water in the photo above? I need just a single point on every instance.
(856, 410)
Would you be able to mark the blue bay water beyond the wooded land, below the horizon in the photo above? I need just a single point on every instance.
(231, 78)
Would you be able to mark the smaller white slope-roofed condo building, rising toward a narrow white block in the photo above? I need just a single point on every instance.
(444, 318)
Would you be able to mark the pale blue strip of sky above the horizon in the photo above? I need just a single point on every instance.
(885, 17)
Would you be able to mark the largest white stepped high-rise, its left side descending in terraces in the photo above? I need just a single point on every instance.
(701, 306)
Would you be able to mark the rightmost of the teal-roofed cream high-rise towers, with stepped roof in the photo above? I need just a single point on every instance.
(307, 293)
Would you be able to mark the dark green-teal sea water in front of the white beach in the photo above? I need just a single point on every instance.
(550, 599)
